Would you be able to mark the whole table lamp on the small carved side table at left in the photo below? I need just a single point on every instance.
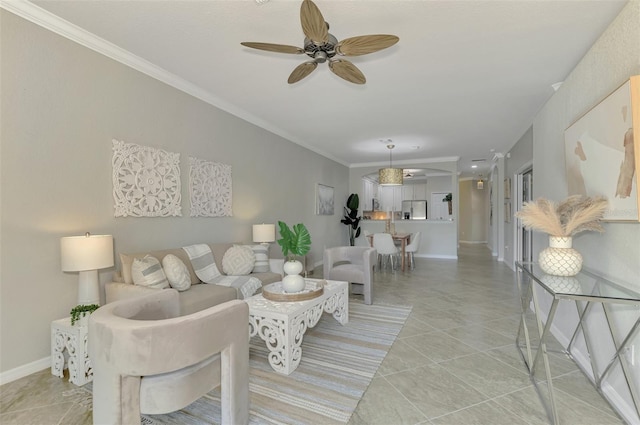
(86, 254)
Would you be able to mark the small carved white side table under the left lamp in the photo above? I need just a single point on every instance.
(74, 340)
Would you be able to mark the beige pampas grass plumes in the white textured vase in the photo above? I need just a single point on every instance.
(573, 215)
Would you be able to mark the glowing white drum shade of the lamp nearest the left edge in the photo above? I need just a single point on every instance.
(89, 252)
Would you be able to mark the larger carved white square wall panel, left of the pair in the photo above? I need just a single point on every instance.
(146, 181)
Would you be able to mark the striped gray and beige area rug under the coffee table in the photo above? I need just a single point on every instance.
(338, 363)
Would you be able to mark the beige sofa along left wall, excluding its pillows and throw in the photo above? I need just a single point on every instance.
(200, 295)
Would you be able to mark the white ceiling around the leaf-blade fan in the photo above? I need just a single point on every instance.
(465, 80)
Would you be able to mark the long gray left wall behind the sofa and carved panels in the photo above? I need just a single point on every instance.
(62, 104)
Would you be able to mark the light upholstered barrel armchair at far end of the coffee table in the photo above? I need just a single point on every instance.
(353, 264)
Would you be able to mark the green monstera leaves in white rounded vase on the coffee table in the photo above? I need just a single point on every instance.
(294, 242)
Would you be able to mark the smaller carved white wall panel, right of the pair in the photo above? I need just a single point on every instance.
(210, 188)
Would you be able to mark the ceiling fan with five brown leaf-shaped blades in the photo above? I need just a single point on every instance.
(321, 46)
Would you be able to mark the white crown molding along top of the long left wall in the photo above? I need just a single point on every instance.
(45, 19)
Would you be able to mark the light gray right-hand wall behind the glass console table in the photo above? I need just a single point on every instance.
(616, 252)
